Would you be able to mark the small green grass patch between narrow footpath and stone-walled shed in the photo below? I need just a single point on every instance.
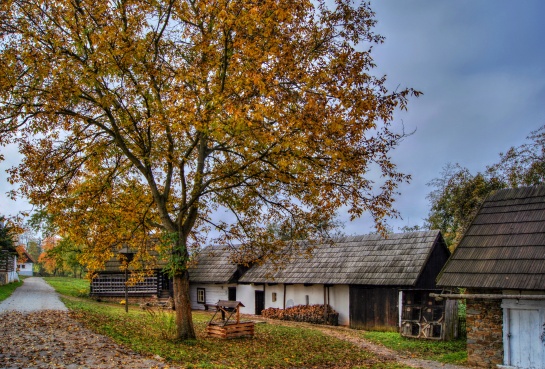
(452, 352)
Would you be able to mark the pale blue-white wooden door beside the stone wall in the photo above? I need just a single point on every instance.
(524, 334)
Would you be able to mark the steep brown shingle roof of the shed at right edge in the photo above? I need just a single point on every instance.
(504, 247)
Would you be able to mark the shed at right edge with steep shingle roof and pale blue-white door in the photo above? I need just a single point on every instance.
(501, 263)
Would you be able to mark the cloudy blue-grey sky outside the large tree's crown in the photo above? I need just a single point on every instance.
(481, 67)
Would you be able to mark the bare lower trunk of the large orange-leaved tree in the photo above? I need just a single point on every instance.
(182, 302)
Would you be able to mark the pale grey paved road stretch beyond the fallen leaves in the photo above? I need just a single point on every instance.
(34, 295)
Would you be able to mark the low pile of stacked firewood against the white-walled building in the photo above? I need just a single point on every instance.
(317, 314)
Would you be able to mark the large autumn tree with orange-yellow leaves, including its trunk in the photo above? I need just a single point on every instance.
(157, 114)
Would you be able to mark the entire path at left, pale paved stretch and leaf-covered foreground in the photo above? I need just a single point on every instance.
(37, 332)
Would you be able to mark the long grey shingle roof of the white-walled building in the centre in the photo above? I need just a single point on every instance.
(364, 260)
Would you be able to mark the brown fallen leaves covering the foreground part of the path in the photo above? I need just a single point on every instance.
(51, 339)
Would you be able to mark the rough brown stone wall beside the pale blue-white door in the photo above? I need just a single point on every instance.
(484, 333)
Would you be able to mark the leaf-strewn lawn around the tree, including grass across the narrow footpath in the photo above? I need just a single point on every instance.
(273, 346)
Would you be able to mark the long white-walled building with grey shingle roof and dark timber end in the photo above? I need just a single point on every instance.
(371, 281)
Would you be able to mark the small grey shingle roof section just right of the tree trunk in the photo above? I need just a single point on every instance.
(213, 265)
